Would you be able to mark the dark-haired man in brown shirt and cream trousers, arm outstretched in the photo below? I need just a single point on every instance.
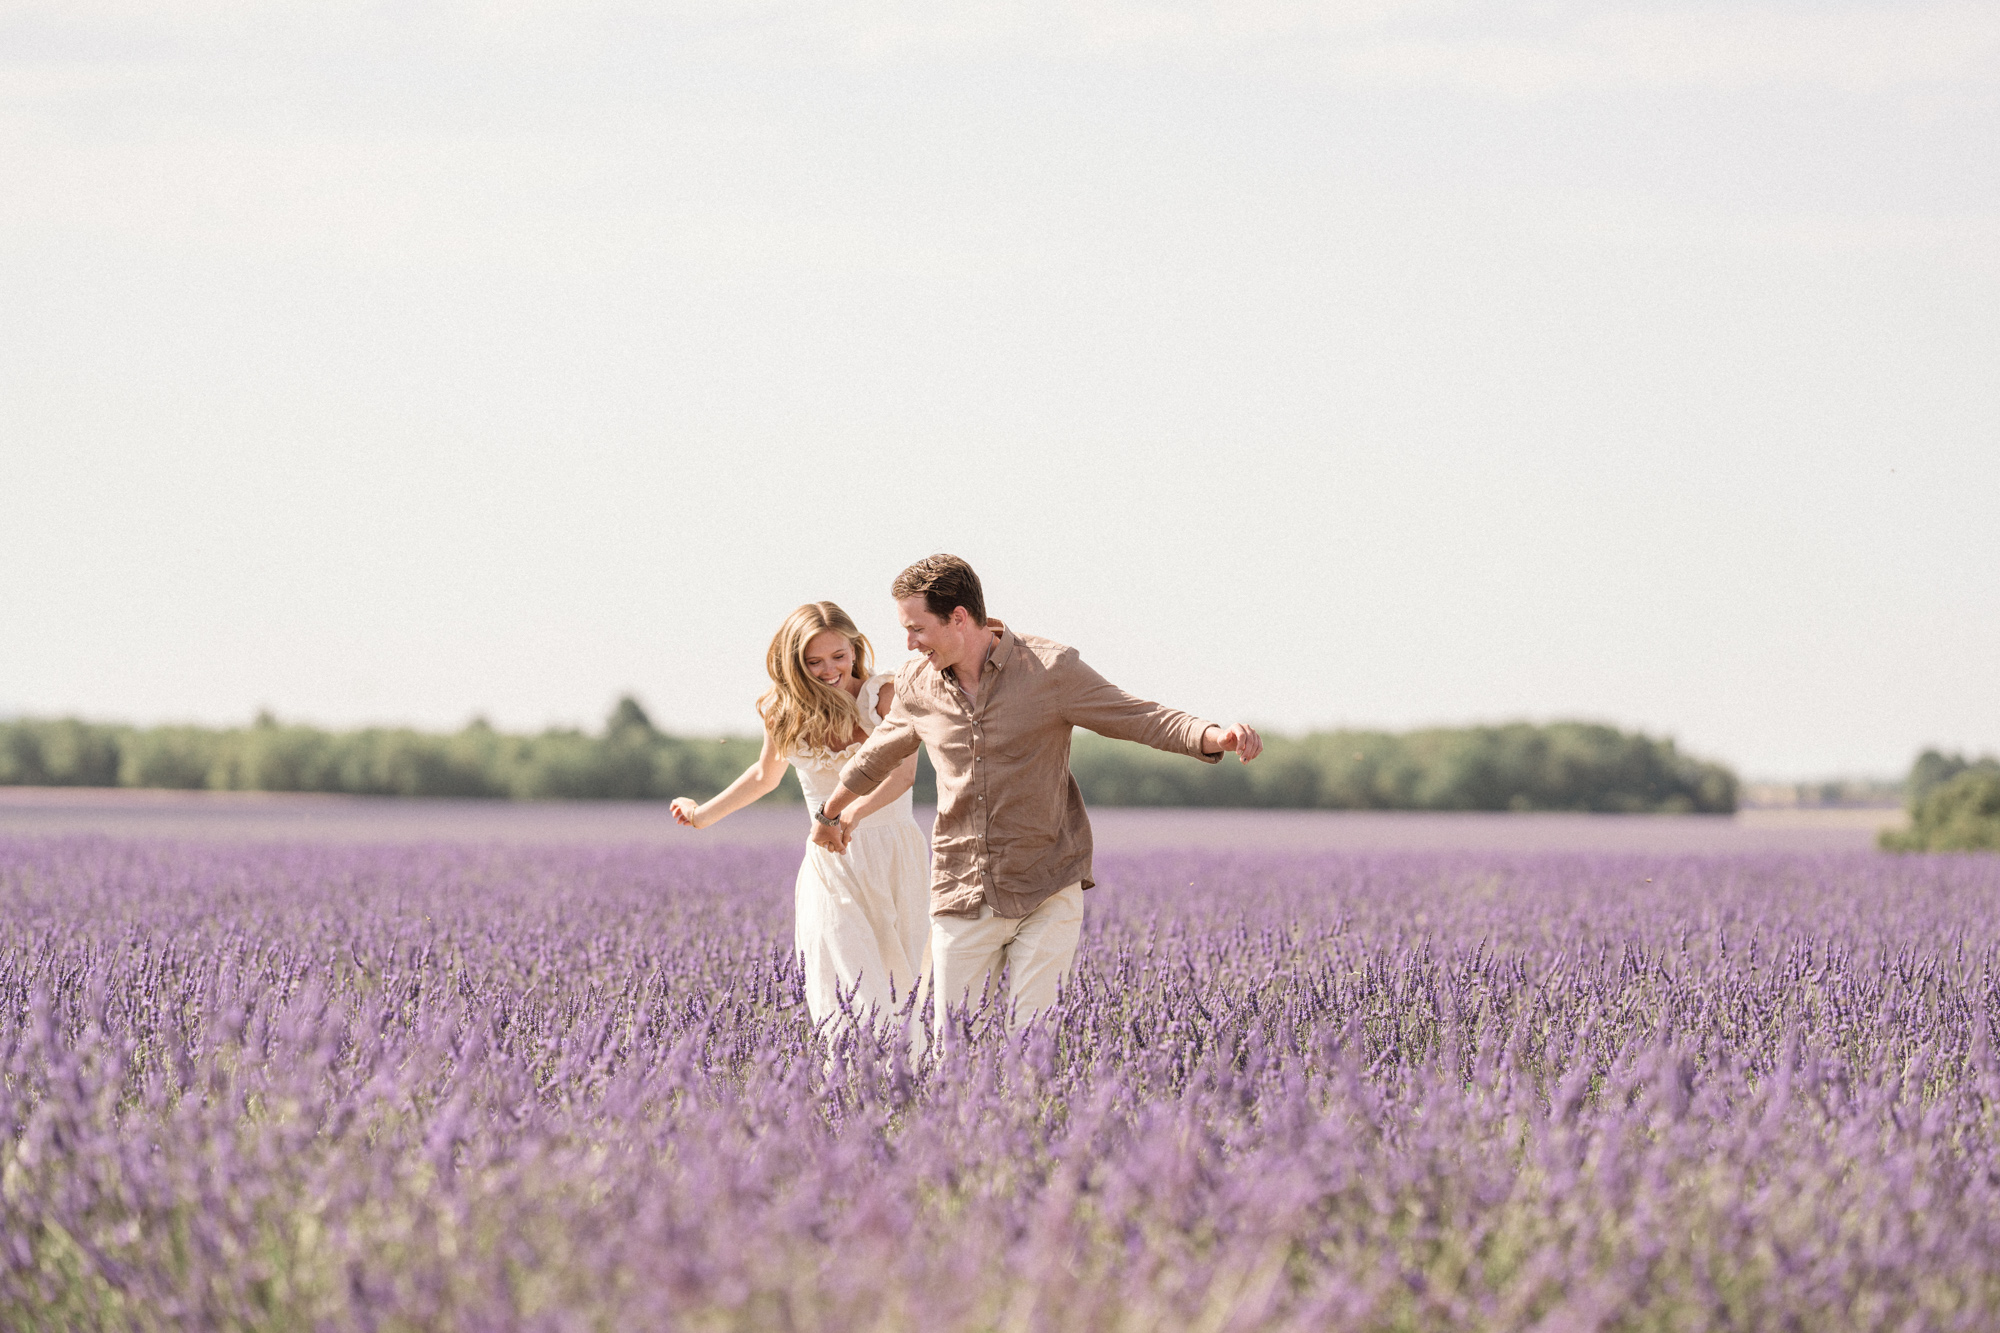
(1011, 850)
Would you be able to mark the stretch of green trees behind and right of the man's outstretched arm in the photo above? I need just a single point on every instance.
(1515, 768)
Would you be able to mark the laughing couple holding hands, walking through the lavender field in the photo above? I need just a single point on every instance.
(1011, 848)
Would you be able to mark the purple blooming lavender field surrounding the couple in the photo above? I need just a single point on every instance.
(455, 1088)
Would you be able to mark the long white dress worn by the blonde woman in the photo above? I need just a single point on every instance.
(865, 916)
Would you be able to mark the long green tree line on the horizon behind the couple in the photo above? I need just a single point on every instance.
(1513, 768)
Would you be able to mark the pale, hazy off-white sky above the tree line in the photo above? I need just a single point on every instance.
(1301, 363)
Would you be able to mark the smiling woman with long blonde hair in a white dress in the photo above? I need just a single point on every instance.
(863, 918)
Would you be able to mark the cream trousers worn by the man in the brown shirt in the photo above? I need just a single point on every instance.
(1039, 950)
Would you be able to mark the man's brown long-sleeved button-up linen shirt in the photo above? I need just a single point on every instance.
(1011, 822)
